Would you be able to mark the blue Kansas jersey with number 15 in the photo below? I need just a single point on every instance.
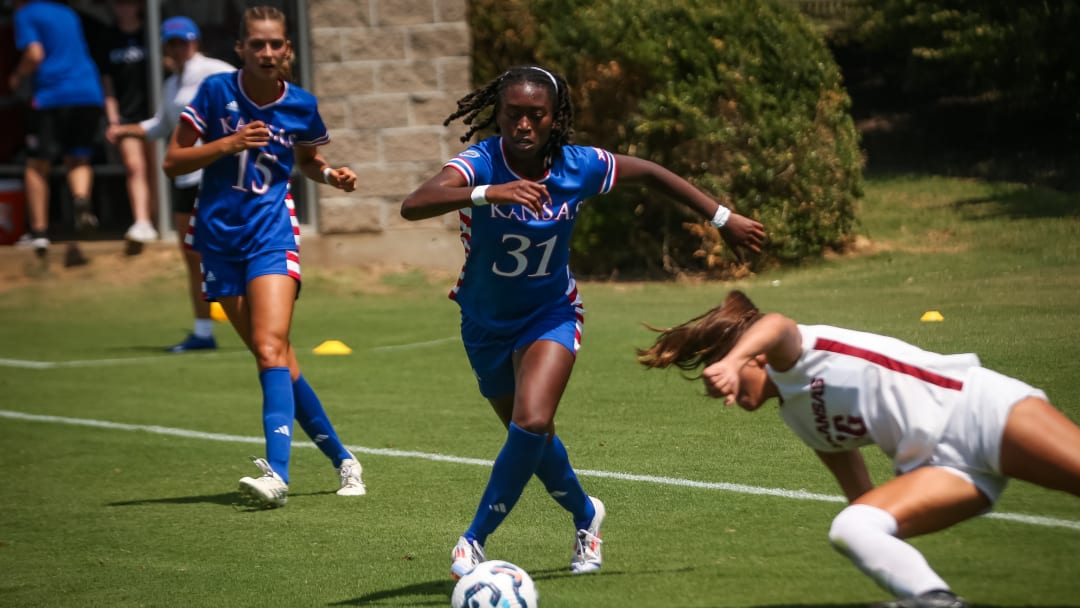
(244, 208)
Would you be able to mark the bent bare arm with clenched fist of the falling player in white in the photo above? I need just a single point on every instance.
(775, 336)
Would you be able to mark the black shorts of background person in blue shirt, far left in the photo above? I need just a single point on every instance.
(69, 131)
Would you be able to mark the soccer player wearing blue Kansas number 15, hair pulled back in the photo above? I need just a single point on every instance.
(255, 126)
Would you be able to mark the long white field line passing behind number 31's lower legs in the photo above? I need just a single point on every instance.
(720, 487)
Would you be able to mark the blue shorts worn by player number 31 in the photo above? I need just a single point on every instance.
(492, 356)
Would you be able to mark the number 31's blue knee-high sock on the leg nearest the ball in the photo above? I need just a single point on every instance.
(517, 463)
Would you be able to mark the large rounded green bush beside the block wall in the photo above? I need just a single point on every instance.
(742, 98)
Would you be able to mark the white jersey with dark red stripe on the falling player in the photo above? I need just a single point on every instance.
(850, 389)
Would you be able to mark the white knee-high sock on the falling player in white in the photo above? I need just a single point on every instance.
(867, 535)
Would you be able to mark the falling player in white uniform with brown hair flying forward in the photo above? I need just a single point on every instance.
(955, 431)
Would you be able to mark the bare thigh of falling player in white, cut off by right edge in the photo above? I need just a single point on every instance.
(1043, 447)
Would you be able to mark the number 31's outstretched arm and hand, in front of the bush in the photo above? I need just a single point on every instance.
(737, 232)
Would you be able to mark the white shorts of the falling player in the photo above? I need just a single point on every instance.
(971, 445)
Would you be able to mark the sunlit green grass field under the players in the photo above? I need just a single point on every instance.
(119, 464)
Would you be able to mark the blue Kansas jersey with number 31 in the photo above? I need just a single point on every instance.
(518, 262)
